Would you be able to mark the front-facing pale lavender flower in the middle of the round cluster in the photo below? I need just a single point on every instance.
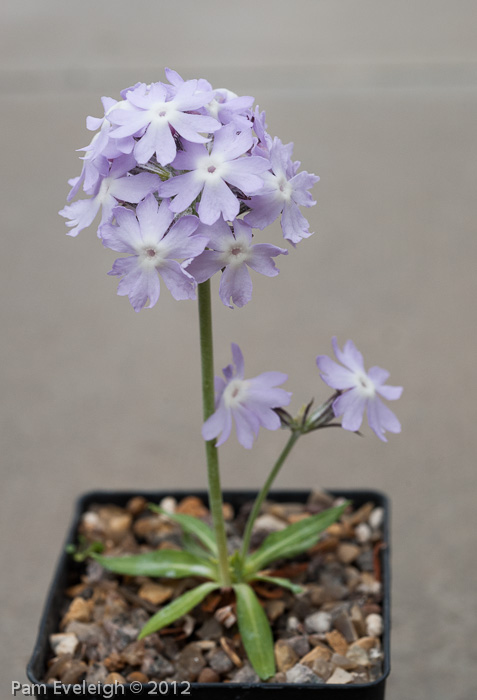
(210, 174)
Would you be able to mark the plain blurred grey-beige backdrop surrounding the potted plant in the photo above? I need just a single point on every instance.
(380, 100)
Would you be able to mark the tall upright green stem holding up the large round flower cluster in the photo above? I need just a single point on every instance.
(208, 401)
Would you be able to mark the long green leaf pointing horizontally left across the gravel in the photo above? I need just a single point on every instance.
(169, 563)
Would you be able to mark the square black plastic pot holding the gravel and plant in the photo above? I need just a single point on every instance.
(67, 571)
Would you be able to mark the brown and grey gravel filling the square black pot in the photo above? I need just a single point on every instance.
(330, 633)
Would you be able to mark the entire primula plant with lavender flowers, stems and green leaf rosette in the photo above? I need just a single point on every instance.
(184, 175)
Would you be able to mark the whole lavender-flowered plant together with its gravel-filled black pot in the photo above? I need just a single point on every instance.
(183, 175)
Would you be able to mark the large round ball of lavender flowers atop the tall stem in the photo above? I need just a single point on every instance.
(182, 174)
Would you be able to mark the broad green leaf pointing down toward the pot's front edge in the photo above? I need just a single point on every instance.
(255, 631)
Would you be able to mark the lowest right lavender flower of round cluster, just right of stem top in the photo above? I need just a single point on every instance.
(233, 252)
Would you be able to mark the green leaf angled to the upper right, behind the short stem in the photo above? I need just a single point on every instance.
(293, 540)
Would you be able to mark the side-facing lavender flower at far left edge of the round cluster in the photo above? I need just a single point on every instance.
(112, 184)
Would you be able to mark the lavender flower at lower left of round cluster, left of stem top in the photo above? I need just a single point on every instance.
(152, 252)
